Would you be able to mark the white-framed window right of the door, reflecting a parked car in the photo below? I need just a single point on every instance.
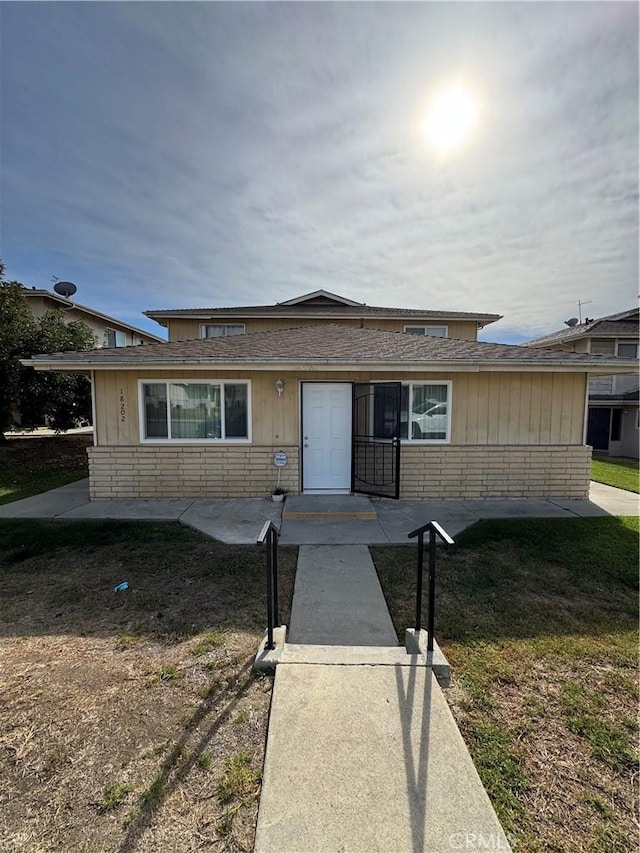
(426, 406)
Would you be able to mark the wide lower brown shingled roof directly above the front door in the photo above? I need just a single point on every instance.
(328, 346)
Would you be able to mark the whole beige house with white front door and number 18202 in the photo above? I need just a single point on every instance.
(354, 408)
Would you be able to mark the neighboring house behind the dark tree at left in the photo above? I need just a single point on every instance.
(108, 331)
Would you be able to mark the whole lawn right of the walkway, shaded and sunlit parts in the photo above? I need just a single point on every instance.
(539, 620)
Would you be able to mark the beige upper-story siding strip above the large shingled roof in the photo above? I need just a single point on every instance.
(188, 330)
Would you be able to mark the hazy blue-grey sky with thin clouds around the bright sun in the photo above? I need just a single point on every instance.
(176, 155)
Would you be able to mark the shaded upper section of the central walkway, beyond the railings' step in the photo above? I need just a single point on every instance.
(338, 600)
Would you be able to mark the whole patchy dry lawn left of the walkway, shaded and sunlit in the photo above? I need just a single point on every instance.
(130, 720)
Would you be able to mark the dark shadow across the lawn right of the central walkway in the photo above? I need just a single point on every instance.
(516, 578)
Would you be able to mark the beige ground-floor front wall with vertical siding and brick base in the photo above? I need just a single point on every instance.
(513, 434)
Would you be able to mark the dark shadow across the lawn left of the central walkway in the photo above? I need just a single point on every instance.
(59, 578)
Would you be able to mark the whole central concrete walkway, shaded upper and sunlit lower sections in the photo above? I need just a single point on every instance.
(363, 753)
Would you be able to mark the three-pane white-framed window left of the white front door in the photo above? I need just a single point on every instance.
(195, 411)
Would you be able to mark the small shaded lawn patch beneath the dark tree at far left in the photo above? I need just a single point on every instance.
(29, 466)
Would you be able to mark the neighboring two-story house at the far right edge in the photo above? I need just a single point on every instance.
(613, 426)
